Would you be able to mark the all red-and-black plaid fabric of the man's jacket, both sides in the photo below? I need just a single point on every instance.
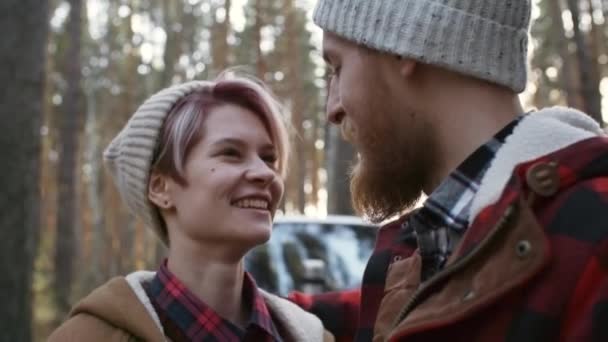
(568, 301)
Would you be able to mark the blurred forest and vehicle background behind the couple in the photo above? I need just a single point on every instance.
(74, 71)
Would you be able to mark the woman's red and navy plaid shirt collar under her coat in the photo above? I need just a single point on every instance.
(184, 317)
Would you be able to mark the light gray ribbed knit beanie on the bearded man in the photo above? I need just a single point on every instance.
(486, 39)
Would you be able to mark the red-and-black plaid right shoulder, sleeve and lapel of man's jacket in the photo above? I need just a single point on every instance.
(567, 300)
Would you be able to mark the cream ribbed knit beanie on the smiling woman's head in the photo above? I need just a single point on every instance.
(129, 155)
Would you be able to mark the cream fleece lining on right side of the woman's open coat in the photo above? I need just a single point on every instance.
(301, 325)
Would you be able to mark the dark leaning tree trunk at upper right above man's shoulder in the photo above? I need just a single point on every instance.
(590, 89)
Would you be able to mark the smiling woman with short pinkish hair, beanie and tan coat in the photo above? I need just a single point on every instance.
(202, 164)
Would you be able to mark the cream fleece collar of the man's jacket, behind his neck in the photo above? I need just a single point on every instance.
(538, 134)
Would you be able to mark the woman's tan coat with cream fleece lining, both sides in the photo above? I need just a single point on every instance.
(121, 311)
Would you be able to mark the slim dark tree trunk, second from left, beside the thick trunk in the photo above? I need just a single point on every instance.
(65, 252)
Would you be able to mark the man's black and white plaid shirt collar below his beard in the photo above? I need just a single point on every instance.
(443, 219)
